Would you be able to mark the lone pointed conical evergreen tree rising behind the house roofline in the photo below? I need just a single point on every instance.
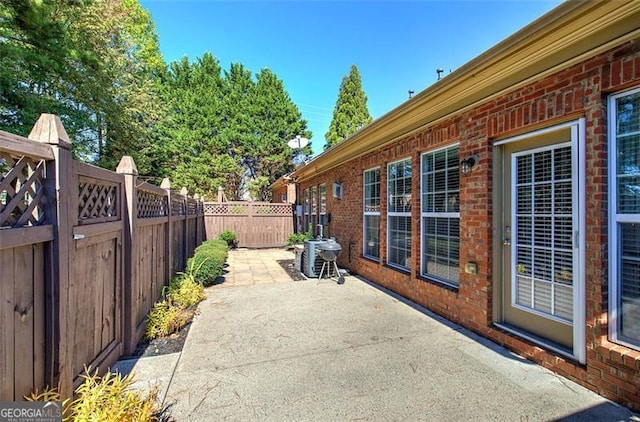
(350, 113)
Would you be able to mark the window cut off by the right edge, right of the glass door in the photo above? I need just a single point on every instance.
(624, 191)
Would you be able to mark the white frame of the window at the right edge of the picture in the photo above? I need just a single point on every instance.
(614, 221)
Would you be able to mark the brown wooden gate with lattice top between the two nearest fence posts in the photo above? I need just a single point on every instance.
(96, 268)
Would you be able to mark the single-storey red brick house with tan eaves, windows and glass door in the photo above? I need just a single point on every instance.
(506, 196)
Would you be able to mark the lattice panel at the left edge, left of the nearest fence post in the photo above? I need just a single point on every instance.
(21, 192)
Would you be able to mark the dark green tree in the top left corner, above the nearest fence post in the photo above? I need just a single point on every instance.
(37, 52)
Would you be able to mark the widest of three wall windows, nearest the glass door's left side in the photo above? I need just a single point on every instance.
(441, 215)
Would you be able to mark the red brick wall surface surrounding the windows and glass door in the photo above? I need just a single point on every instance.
(580, 91)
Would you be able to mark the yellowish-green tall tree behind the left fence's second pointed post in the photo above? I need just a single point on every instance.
(121, 37)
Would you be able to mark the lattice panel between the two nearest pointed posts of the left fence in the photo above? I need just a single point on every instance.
(97, 200)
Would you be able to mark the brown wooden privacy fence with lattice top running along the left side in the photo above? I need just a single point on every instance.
(84, 254)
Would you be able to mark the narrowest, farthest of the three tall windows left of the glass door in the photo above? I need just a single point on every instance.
(371, 218)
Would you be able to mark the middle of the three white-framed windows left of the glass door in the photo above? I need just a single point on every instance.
(399, 214)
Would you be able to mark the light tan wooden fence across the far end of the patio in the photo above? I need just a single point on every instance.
(257, 224)
